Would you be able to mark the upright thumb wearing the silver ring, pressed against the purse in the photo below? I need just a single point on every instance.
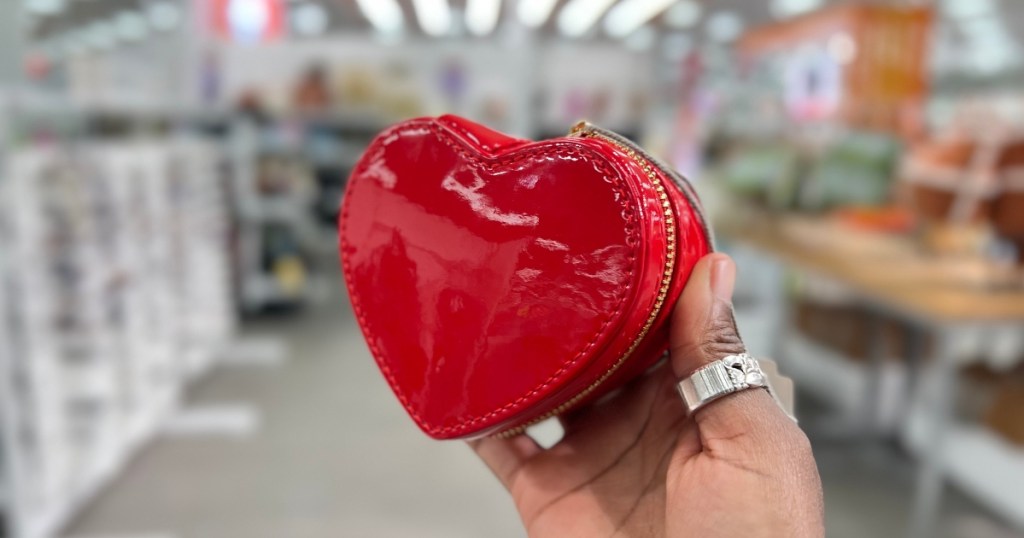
(703, 332)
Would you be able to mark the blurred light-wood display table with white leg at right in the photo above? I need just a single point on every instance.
(893, 276)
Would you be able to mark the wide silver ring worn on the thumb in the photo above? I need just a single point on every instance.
(729, 376)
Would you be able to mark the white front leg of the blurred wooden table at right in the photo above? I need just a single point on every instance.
(937, 394)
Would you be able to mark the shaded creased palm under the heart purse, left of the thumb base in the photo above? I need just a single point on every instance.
(608, 475)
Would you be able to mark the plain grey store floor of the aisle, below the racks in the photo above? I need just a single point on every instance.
(335, 457)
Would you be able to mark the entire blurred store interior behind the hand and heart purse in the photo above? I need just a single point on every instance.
(178, 354)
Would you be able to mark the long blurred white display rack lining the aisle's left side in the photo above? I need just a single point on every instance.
(115, 294)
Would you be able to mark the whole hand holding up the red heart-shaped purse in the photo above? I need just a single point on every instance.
(636, 465)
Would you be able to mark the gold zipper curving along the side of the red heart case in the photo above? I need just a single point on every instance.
(583, 130)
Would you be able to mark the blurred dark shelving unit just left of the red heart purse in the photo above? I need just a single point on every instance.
(288, 180)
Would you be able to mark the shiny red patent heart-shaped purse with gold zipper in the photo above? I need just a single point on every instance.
(500, 281)
